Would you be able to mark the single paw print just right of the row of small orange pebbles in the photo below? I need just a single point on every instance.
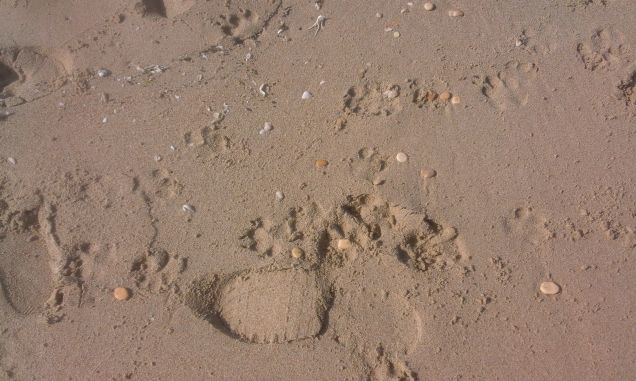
(509, 88)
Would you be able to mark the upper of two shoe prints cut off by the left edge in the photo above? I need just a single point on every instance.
(27, 74)
